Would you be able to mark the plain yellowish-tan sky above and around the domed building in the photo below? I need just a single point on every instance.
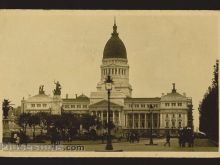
(40, 47)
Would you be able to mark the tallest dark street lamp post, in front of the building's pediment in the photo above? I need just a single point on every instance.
(108, 87)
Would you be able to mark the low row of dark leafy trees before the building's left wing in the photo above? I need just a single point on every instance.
(66, 121)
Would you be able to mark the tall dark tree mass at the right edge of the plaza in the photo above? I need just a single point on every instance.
(209, 110)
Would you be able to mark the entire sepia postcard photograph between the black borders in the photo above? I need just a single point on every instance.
(109, 83)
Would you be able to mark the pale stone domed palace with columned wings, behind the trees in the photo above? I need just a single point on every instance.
(169, 112)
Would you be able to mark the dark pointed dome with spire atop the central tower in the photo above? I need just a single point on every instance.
(114, 47)
